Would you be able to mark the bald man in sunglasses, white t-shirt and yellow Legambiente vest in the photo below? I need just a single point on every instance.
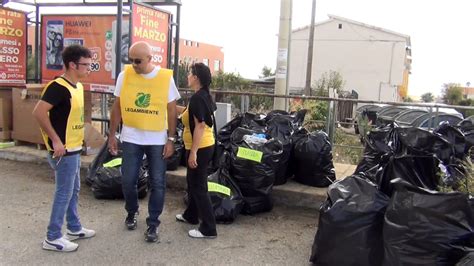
(146, 103)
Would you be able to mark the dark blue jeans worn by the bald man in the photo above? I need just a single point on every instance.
(131, 161)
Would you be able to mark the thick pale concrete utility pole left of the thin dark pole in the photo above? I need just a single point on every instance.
(281, 75)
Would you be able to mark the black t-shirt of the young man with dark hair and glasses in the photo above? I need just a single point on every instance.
(60, 98)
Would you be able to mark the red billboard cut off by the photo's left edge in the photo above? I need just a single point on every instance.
(13, 47)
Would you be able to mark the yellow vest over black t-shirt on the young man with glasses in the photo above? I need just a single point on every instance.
(75, 120)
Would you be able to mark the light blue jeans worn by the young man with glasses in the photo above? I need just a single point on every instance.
(66, 196)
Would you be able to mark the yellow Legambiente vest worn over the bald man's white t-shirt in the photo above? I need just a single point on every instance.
(144, 102)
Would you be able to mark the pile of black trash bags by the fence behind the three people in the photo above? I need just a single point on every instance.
(254, 152)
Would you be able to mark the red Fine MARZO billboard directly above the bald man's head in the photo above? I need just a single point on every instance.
(152, 26)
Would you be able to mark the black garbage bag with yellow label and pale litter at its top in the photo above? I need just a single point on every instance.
(252, 166)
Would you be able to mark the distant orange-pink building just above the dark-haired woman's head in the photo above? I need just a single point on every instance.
(193, 51)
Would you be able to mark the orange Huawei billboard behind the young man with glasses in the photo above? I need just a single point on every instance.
(96, 32)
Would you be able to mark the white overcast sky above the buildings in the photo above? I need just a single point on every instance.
(441, 31)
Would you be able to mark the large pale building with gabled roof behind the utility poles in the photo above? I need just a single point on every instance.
(374, 62)
